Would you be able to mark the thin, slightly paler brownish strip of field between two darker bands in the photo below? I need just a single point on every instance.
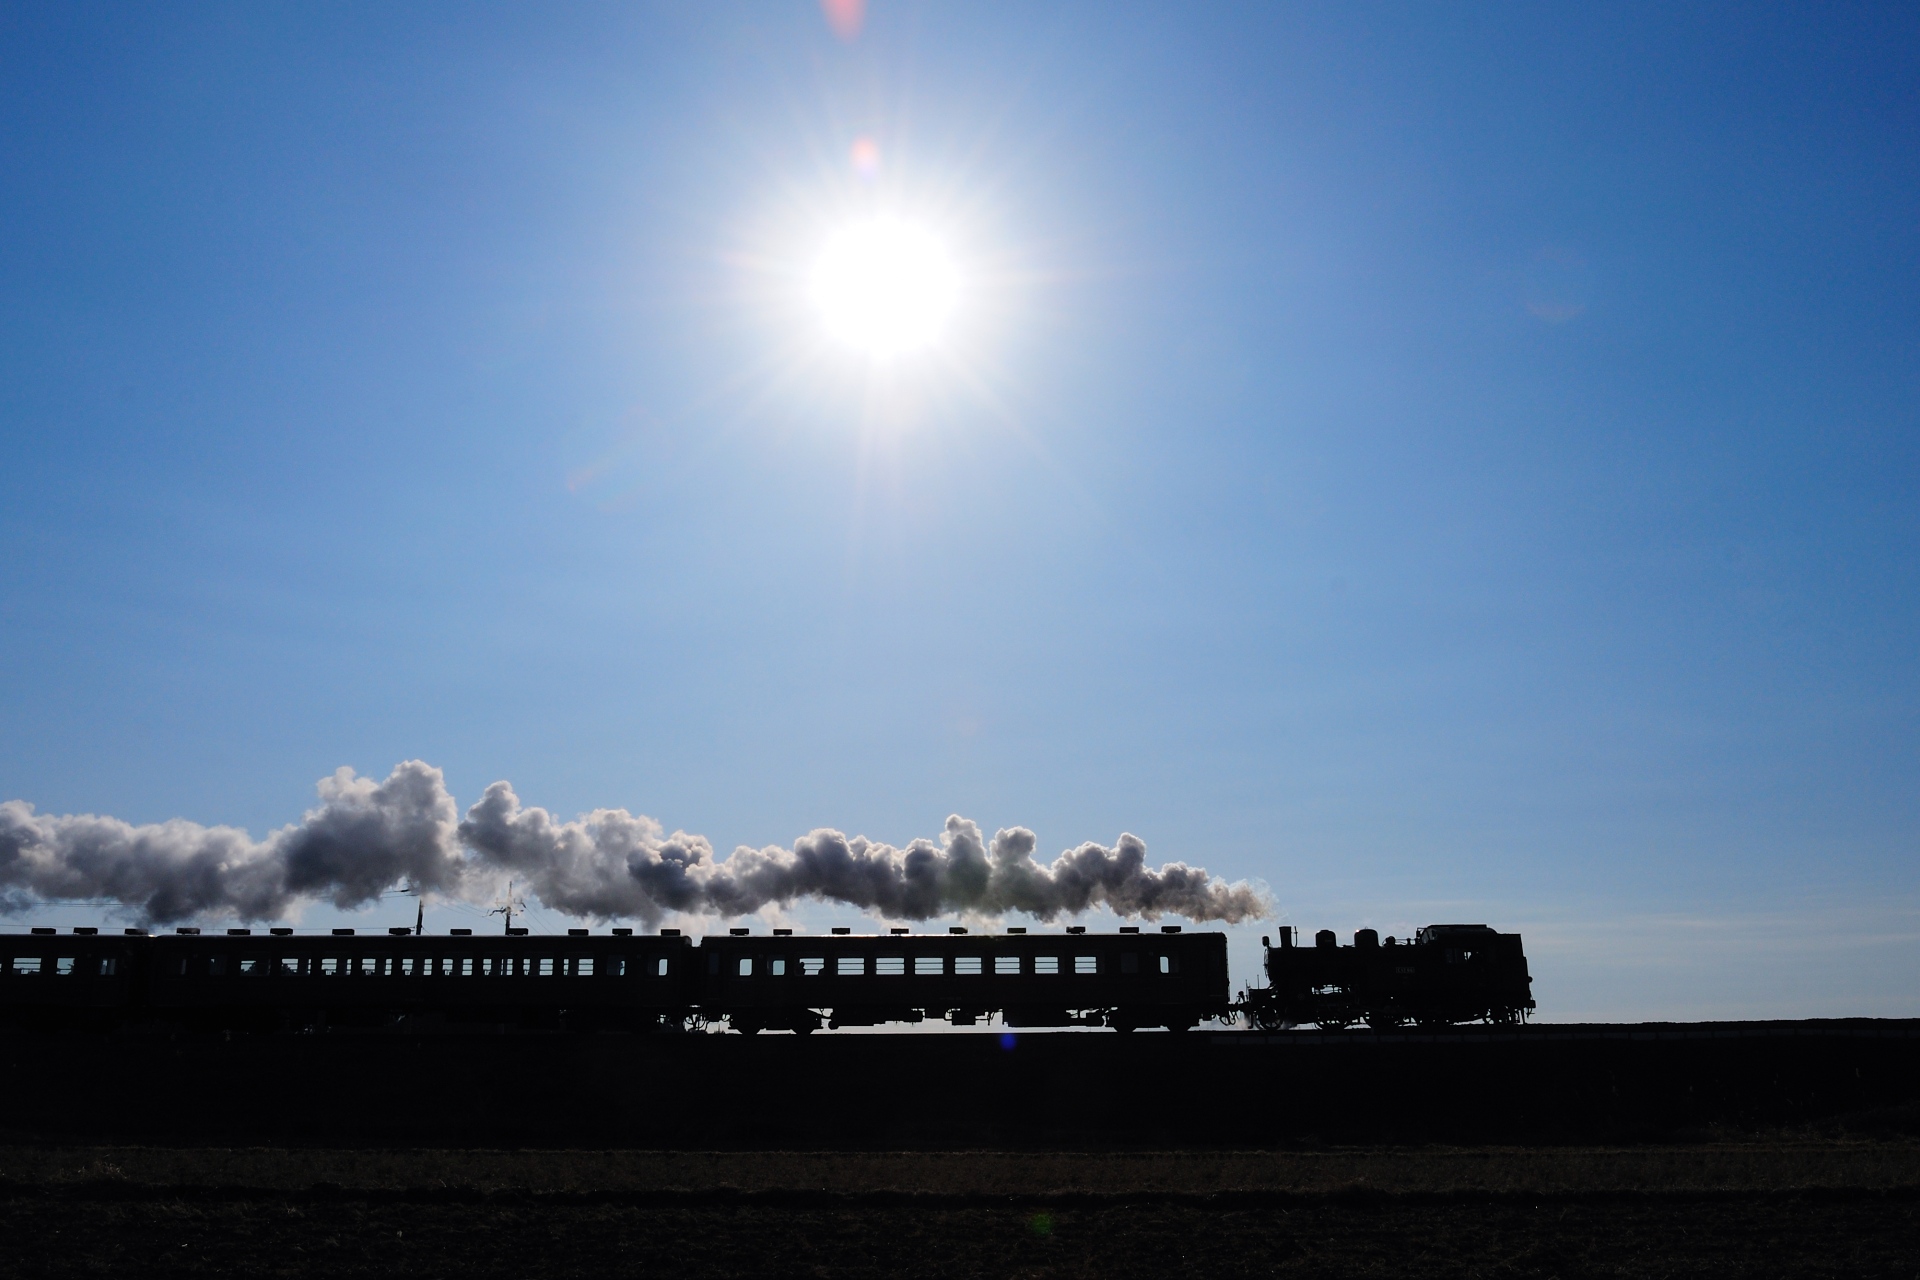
(1773, 1168)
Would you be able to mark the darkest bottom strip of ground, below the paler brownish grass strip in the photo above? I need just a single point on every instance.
(312, 1235)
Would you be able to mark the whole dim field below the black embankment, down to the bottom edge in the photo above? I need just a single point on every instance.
(1731, 1210)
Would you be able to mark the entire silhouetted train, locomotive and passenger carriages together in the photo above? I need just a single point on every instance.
(771, 982)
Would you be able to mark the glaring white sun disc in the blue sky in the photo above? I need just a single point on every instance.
(886, 287)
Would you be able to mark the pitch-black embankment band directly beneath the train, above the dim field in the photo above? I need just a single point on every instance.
(1099, 1091)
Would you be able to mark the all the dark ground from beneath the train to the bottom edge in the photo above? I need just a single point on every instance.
(1787, 1150)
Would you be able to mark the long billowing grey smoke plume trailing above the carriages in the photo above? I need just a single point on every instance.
(368, 838)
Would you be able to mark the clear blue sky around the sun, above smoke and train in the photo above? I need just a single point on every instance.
(1443, 463)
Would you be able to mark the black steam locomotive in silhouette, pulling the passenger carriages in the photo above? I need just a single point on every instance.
(1441, 976)
